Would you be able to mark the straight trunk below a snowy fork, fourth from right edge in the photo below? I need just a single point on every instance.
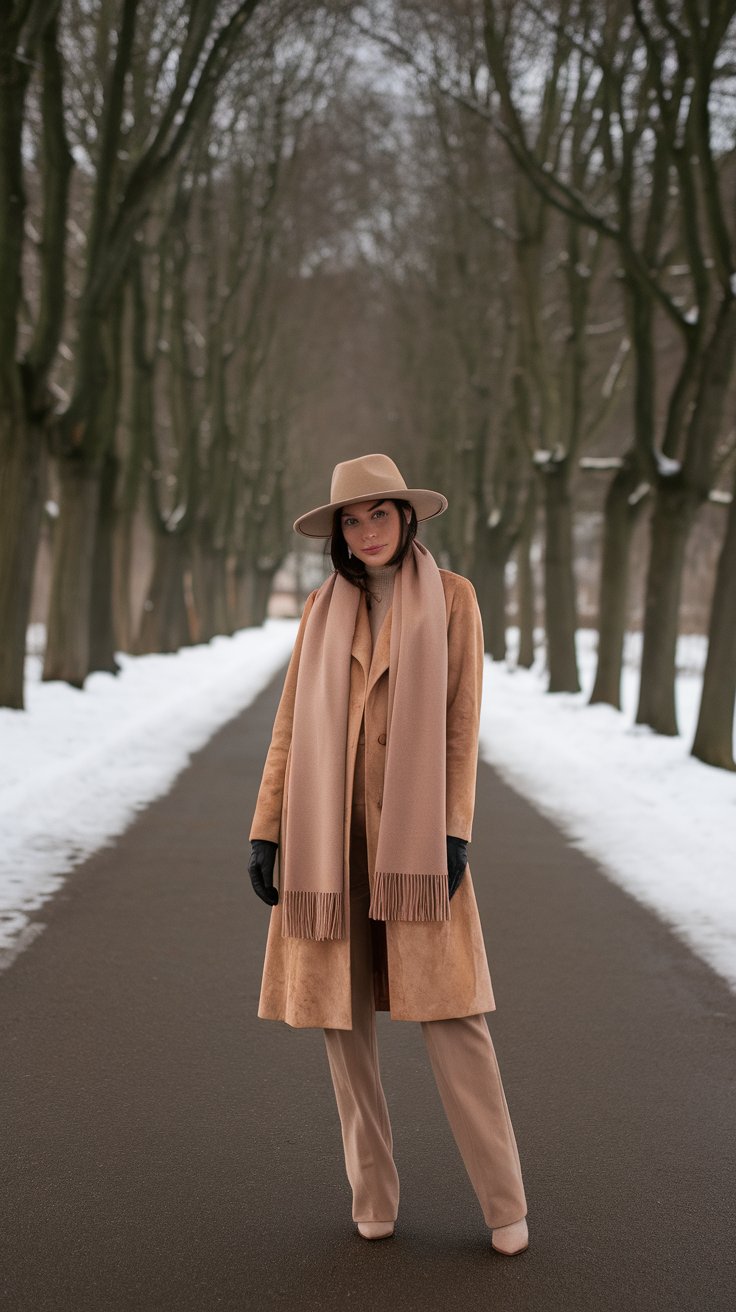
(560, 581)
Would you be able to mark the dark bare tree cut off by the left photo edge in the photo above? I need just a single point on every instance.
(28, 48)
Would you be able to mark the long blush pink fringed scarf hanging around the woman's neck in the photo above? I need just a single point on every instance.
(411, 876)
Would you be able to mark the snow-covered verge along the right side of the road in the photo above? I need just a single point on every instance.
(661, 823)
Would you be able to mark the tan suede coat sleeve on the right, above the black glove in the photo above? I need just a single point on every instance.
(465, 688)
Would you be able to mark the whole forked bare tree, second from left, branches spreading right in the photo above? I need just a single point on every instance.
(199, 44)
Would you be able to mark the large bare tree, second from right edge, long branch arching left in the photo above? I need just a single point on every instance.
(679, 66)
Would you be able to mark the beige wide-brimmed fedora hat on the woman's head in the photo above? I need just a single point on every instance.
(371, 478)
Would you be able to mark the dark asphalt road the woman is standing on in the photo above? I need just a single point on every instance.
(162, 1149)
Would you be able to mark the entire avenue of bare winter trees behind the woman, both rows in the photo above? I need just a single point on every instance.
(241, 241)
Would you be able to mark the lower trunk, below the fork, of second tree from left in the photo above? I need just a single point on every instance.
(68, 644)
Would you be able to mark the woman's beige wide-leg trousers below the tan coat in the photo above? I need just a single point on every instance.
(466, 1073)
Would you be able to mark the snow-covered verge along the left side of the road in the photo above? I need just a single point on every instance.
(75, 767)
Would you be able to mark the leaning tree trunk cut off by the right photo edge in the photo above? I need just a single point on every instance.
(714, 737)
